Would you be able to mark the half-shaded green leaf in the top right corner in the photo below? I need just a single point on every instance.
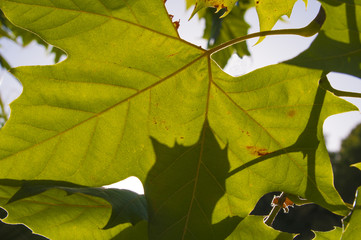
(337, 47)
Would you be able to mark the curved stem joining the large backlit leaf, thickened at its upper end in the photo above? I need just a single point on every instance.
(308, 31)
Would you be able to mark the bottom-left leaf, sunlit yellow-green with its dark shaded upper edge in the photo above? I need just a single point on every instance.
(88, 213)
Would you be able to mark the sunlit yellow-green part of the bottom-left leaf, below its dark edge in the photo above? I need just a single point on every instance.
(53, 214)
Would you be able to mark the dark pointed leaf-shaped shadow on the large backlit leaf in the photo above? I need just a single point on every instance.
(183, 188)
